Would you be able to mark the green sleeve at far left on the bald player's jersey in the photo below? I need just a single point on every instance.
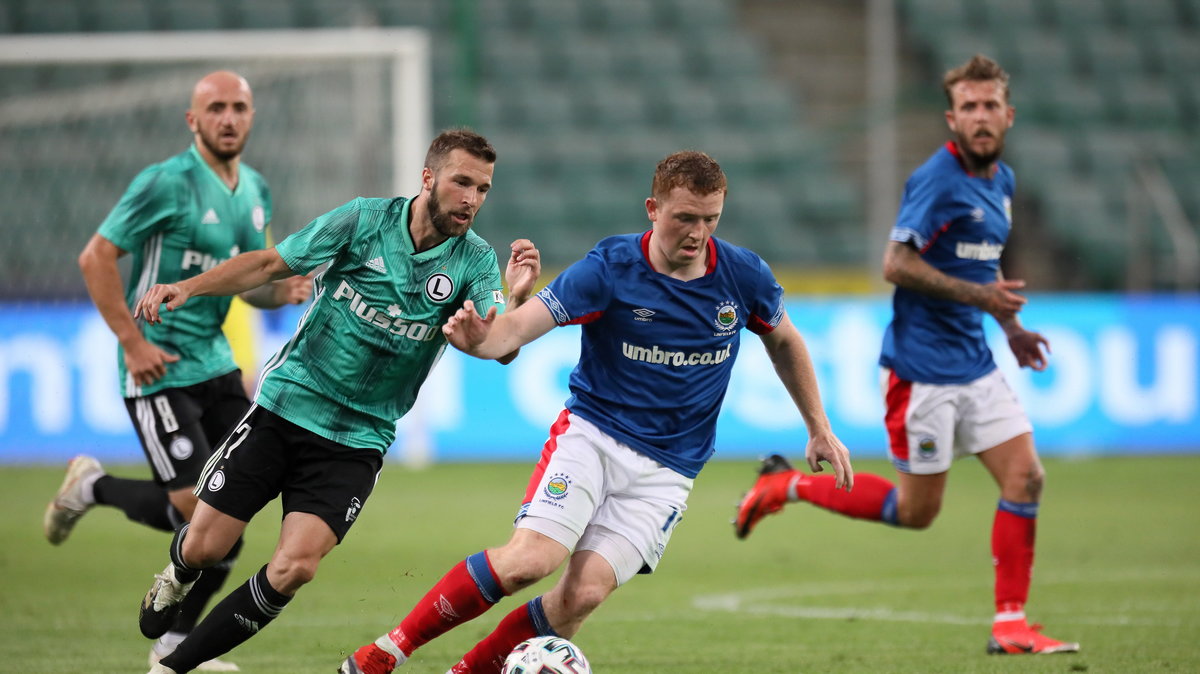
(147, 208)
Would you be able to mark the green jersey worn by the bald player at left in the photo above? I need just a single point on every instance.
(179, 219)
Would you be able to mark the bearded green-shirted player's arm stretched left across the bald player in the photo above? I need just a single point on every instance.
(231, 278)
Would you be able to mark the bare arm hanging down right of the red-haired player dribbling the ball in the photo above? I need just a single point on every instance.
(790, 356)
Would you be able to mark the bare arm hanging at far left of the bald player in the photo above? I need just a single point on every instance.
(98, 263)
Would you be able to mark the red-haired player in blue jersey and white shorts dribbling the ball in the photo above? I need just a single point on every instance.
(662, 317)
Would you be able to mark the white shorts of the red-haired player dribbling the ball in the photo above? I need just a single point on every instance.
(592, 492)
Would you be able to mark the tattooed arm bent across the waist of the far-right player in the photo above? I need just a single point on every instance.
(904, 267)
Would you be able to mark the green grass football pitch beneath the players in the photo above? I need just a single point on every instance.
(1118, 570)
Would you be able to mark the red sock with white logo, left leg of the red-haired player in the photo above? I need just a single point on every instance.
(469, 591)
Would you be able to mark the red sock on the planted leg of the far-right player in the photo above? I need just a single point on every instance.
(1012, 551)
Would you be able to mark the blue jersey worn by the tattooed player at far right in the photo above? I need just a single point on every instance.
(959, 224)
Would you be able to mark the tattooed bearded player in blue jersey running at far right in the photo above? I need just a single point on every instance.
(944, 395)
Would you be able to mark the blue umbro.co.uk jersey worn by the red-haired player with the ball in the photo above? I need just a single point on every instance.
(657, 352)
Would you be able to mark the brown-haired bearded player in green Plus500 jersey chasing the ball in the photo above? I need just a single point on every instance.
(327, 406)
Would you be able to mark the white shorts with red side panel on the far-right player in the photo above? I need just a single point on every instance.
(931, 425)
